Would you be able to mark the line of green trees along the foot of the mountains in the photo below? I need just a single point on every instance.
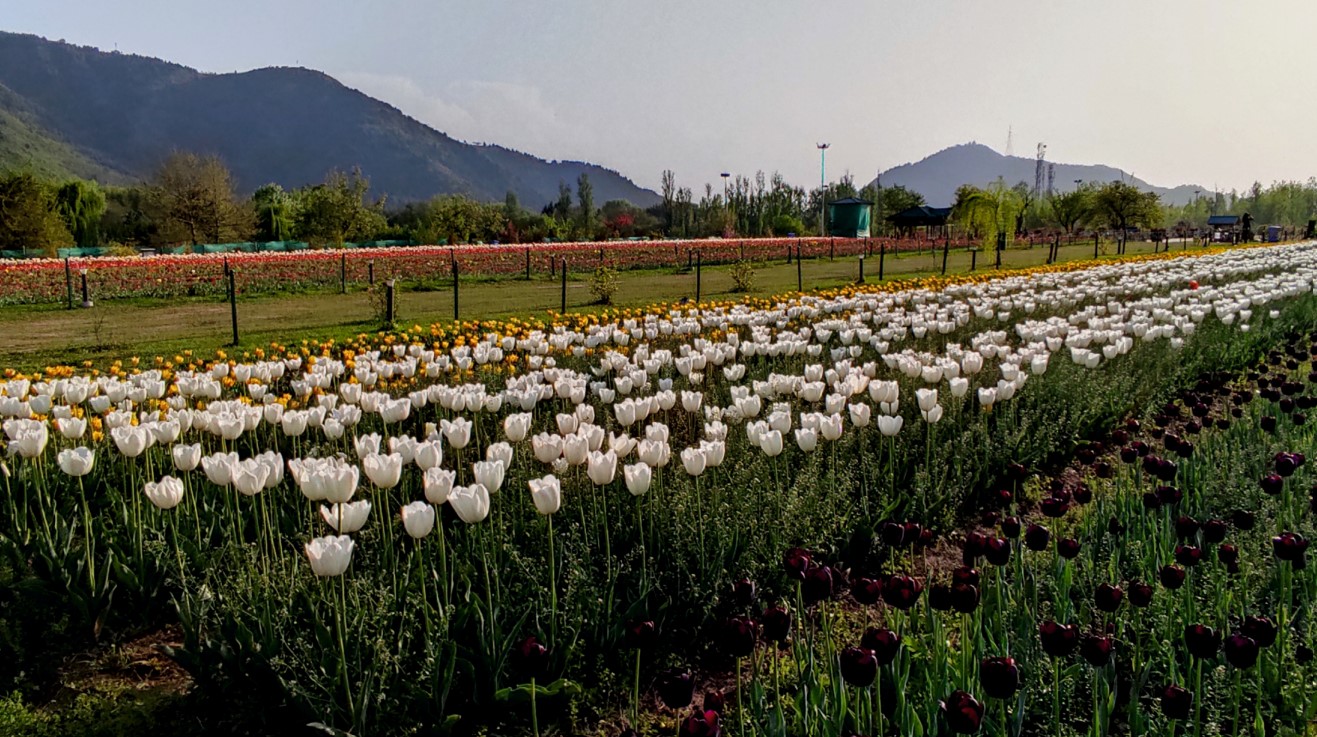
(192, 199)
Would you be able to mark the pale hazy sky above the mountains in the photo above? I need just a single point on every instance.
(1175, 91)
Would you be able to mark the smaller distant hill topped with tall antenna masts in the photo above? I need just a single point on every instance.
(938, 177)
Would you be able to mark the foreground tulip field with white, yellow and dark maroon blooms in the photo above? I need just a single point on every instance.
(1067, 501)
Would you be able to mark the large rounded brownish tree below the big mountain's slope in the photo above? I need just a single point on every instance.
(197, 203)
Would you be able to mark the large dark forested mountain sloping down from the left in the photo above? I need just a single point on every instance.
(117, 116)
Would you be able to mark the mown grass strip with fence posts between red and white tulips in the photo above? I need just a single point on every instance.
(38, 336)
